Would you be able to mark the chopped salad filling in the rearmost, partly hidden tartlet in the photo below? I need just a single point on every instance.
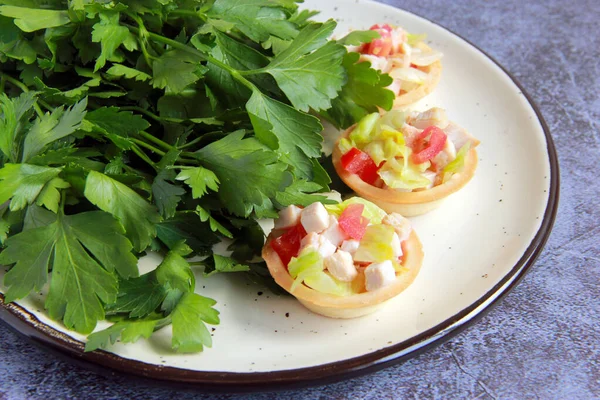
(402, 55)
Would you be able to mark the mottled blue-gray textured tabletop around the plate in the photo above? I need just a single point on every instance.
(542, 340)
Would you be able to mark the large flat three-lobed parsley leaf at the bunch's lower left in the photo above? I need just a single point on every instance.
(79, 282)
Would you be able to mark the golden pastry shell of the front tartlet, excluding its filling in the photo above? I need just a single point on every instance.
(353, 305)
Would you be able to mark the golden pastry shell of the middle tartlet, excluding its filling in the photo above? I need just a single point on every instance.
(407, 203)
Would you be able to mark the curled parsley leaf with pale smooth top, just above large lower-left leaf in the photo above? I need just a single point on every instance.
(137, 215)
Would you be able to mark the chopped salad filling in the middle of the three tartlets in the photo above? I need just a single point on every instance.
(406, 151)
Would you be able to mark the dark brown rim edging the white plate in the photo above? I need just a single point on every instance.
(27, 324)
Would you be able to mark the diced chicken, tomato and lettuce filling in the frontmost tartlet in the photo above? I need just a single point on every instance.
(342, 249)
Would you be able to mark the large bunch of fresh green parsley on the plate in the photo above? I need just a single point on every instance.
(163, 125)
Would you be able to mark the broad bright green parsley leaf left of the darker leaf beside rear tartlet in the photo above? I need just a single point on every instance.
(310, 70)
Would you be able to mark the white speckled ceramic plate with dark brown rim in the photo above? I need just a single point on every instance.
(477, 244)
